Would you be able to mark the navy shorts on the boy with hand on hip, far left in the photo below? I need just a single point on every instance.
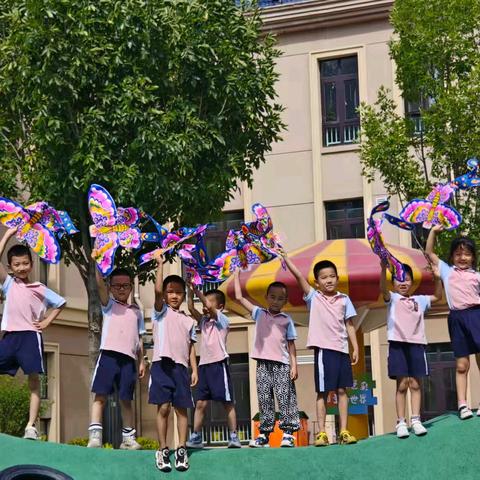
(21, 350)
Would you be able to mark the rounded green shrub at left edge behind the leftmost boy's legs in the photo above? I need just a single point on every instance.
(14, 406)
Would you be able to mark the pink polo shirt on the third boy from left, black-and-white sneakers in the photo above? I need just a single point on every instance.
(173, 331)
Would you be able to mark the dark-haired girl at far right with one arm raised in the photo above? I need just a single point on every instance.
(462, 289)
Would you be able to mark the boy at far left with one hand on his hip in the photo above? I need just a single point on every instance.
(23, 320)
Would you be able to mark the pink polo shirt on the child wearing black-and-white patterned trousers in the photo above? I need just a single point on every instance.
(272, 333)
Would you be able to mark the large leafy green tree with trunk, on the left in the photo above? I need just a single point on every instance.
(167, 103)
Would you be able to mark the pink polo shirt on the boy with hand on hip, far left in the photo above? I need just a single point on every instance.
(26, 303)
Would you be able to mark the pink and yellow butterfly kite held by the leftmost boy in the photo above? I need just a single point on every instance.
(37, 224)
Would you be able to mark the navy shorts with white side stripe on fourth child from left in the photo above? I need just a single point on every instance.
(214, 382)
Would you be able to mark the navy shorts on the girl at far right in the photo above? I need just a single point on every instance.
(464, 329)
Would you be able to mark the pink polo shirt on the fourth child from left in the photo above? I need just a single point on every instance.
(214, 338)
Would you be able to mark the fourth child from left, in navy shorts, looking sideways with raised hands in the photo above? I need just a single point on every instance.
(214, 379)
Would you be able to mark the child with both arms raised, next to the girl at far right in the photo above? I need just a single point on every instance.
(407, 359)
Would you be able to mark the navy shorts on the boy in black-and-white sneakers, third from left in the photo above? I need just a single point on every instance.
(170, 383)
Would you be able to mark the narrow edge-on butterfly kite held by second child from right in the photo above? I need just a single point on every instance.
(375, 238)
